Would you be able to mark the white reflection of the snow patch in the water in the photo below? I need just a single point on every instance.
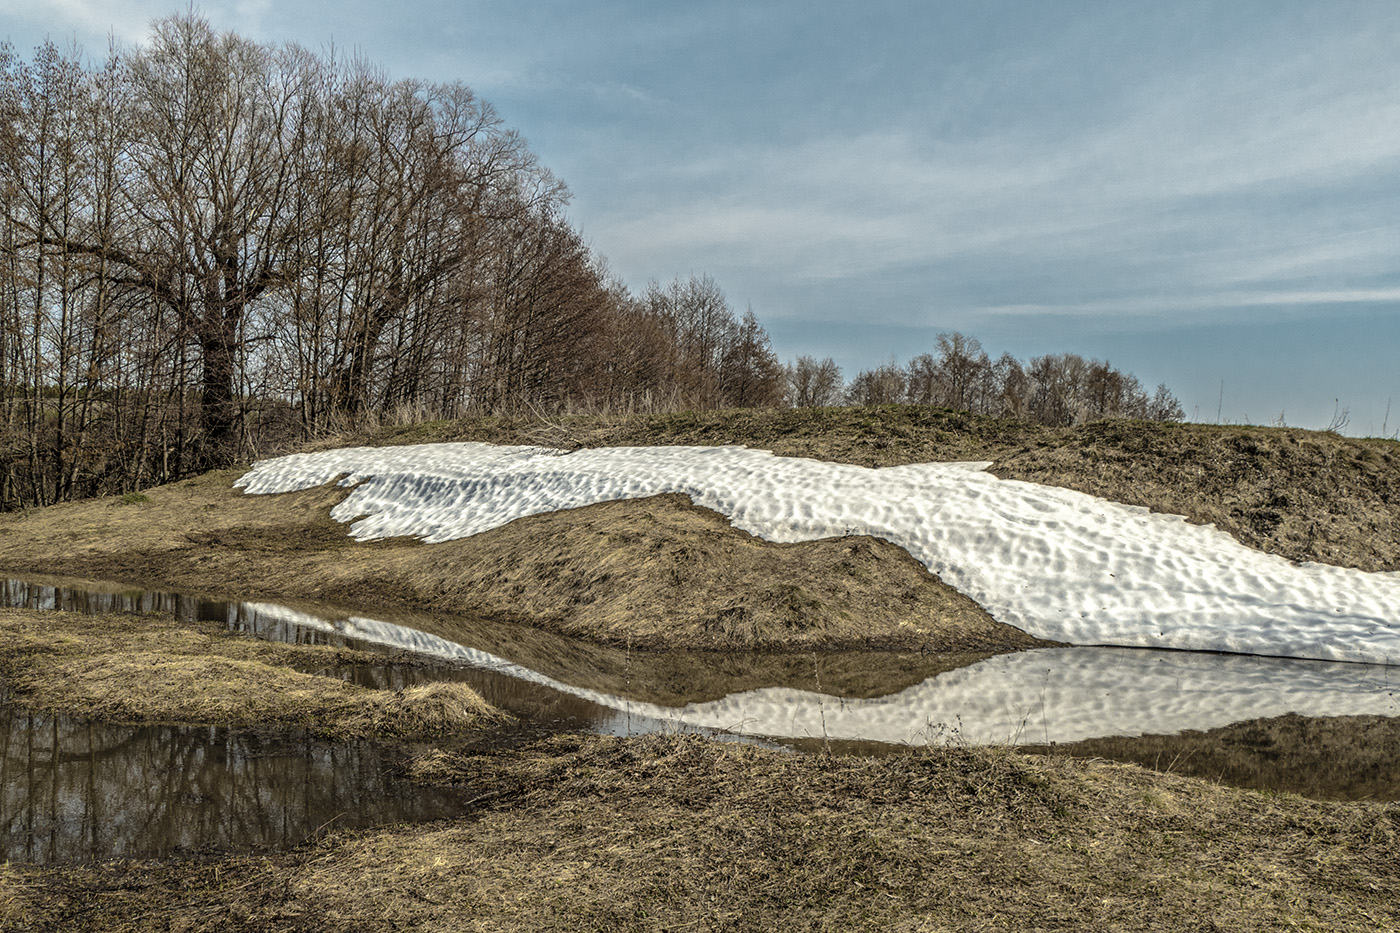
(1059, 696)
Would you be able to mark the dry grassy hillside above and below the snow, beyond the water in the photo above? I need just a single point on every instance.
(661, 574)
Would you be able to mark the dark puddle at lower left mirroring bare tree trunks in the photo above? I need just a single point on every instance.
(76, 791)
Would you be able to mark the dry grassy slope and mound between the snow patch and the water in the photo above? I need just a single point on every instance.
(652, 574)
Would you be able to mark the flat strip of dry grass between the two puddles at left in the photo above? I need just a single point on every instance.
(134, 669)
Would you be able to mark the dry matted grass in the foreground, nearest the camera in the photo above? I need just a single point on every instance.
(670, 833)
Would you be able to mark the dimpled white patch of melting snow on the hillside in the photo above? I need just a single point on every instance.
(1056, 564)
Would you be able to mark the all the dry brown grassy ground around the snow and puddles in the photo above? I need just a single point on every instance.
(678, 833)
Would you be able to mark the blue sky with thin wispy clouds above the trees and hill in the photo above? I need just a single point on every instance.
(1206, 195)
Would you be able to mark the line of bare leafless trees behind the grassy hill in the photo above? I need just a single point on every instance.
(212, 247)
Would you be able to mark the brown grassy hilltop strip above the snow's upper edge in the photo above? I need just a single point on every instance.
(1303, 495)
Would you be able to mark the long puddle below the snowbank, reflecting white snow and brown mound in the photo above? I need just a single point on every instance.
(856, 703)
